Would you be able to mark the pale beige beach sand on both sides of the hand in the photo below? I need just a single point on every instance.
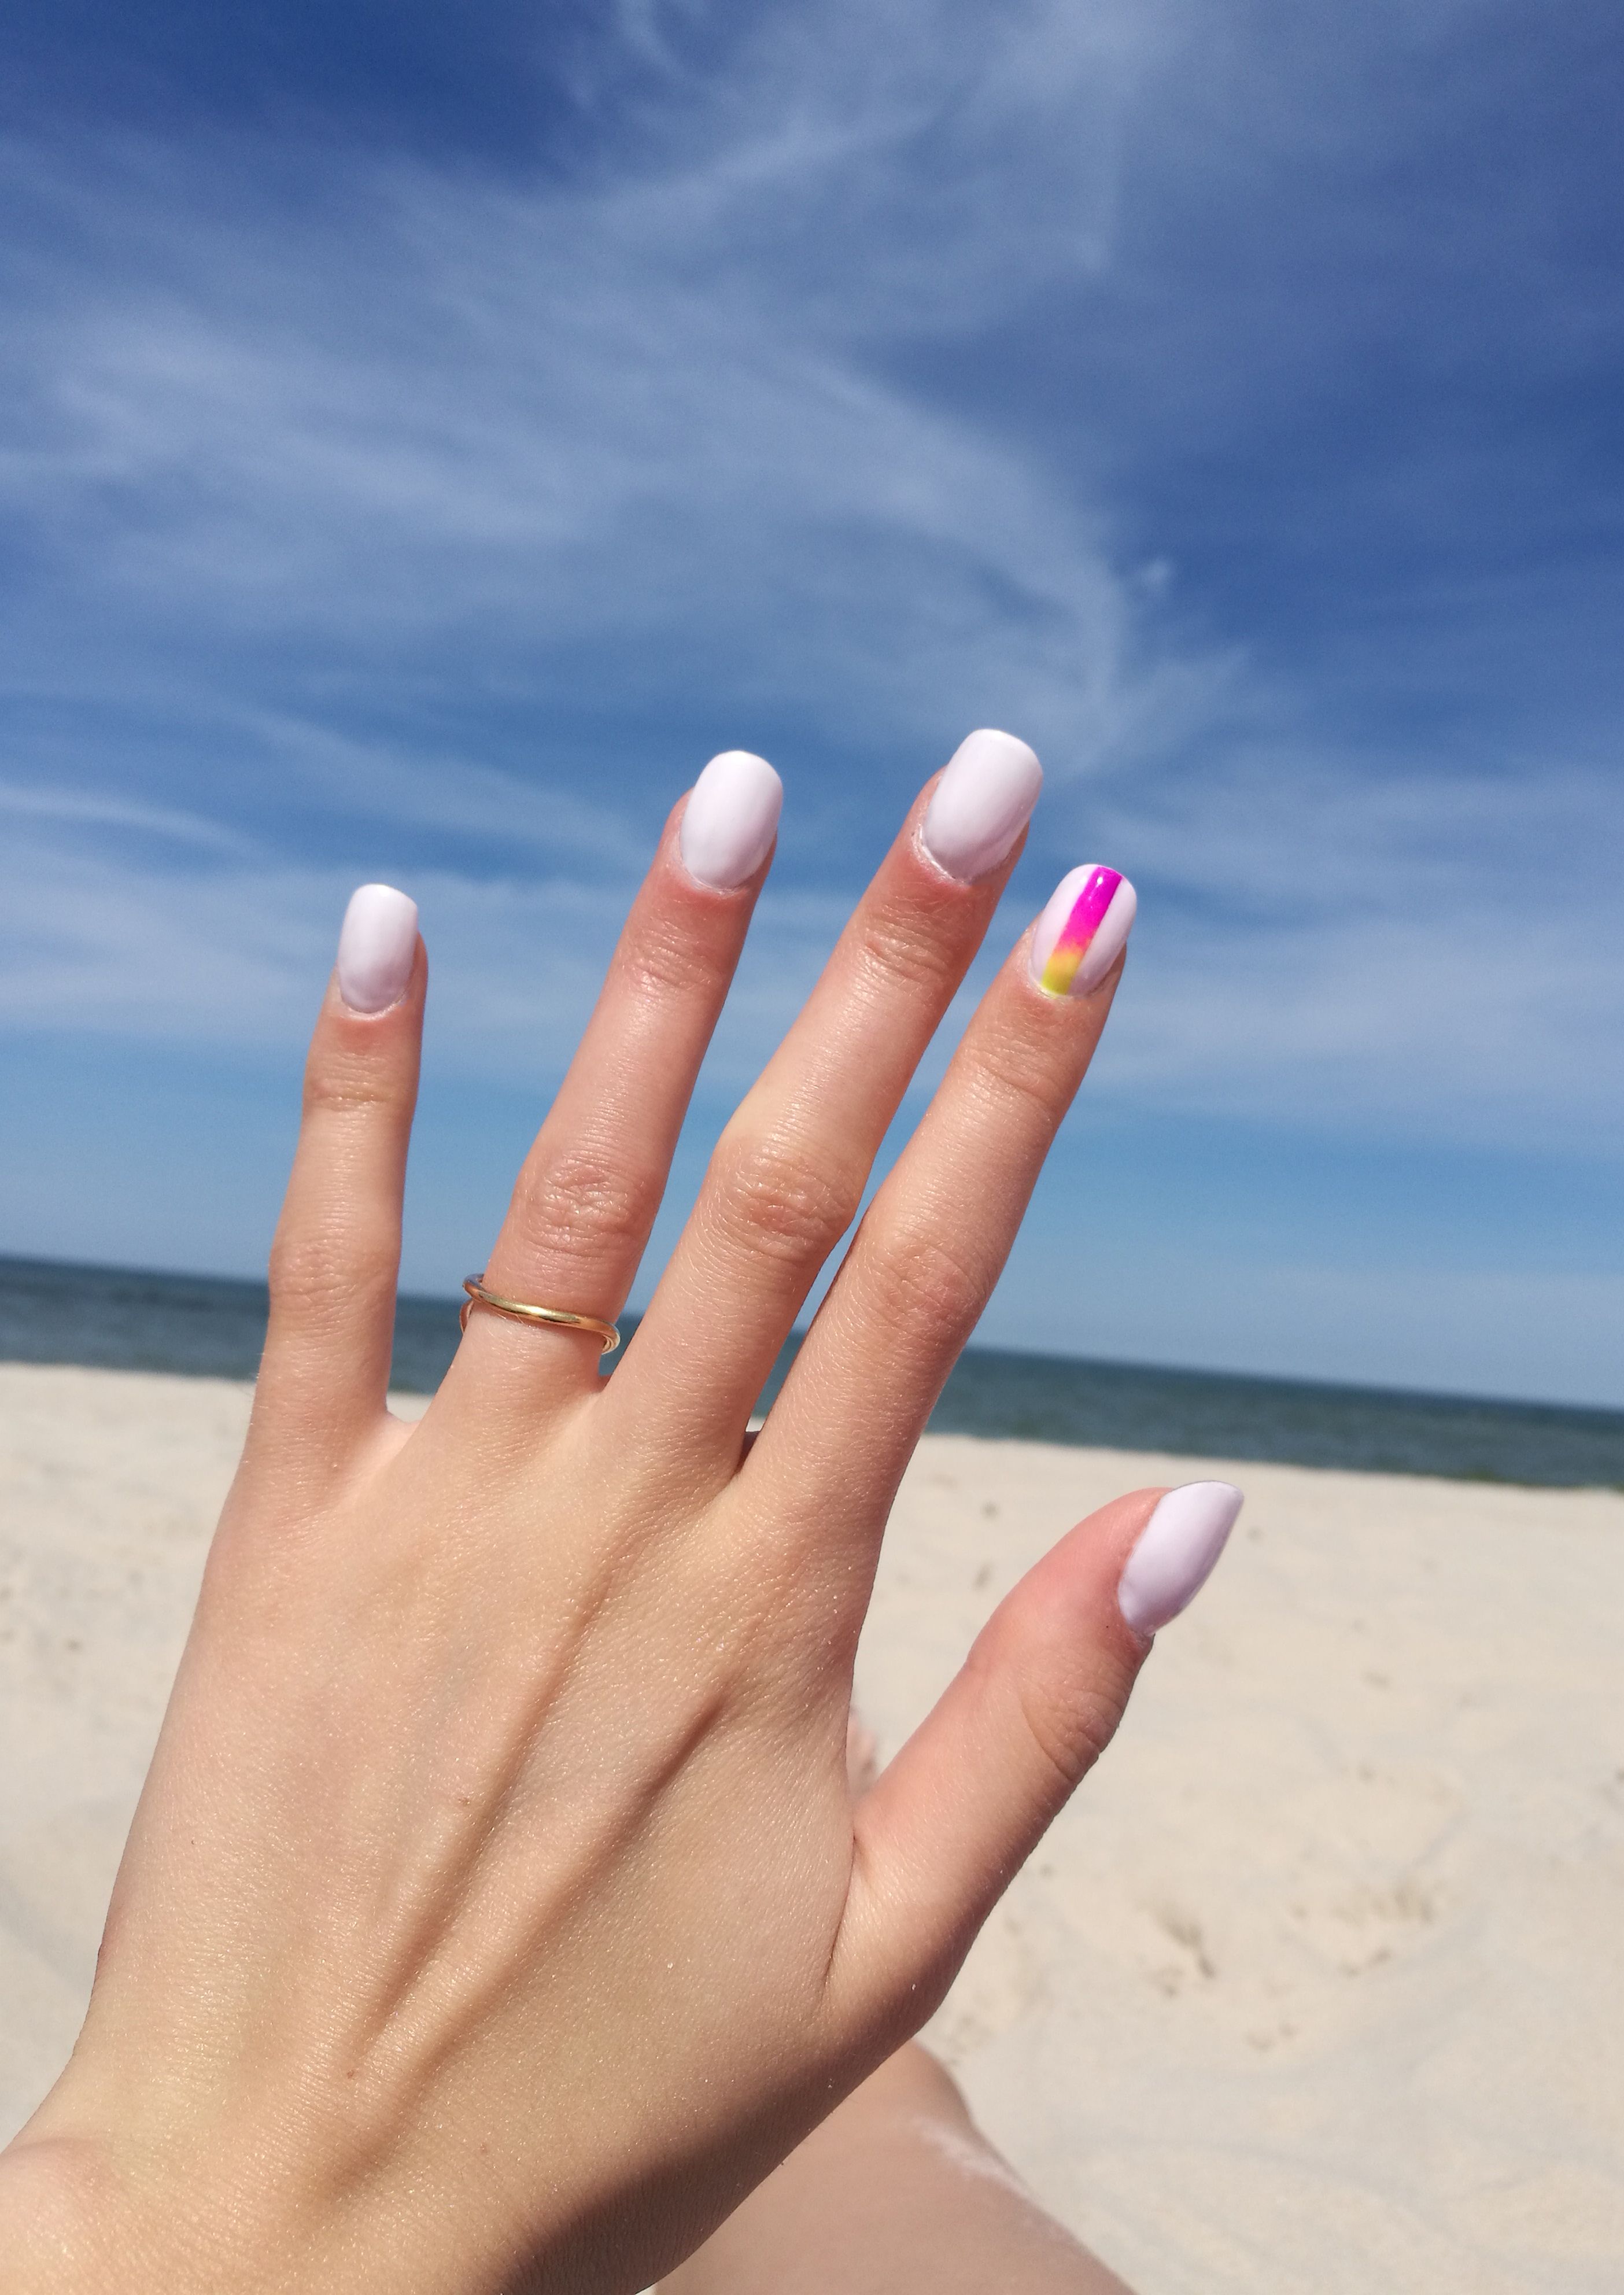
(1320, 1984)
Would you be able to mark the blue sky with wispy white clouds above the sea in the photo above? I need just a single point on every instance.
(430, 433)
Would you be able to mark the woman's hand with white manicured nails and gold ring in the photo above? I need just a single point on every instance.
(497, 1911)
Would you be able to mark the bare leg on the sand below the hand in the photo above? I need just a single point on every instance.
(893, 2195)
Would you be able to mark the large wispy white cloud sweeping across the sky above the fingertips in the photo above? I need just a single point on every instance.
(444, 419)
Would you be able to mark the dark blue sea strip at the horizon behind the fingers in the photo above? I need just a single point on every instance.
(212, 1328)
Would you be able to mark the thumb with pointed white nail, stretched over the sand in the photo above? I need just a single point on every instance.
(1038, 1702)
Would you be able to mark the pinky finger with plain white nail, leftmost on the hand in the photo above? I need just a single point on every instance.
(336, 1254)
